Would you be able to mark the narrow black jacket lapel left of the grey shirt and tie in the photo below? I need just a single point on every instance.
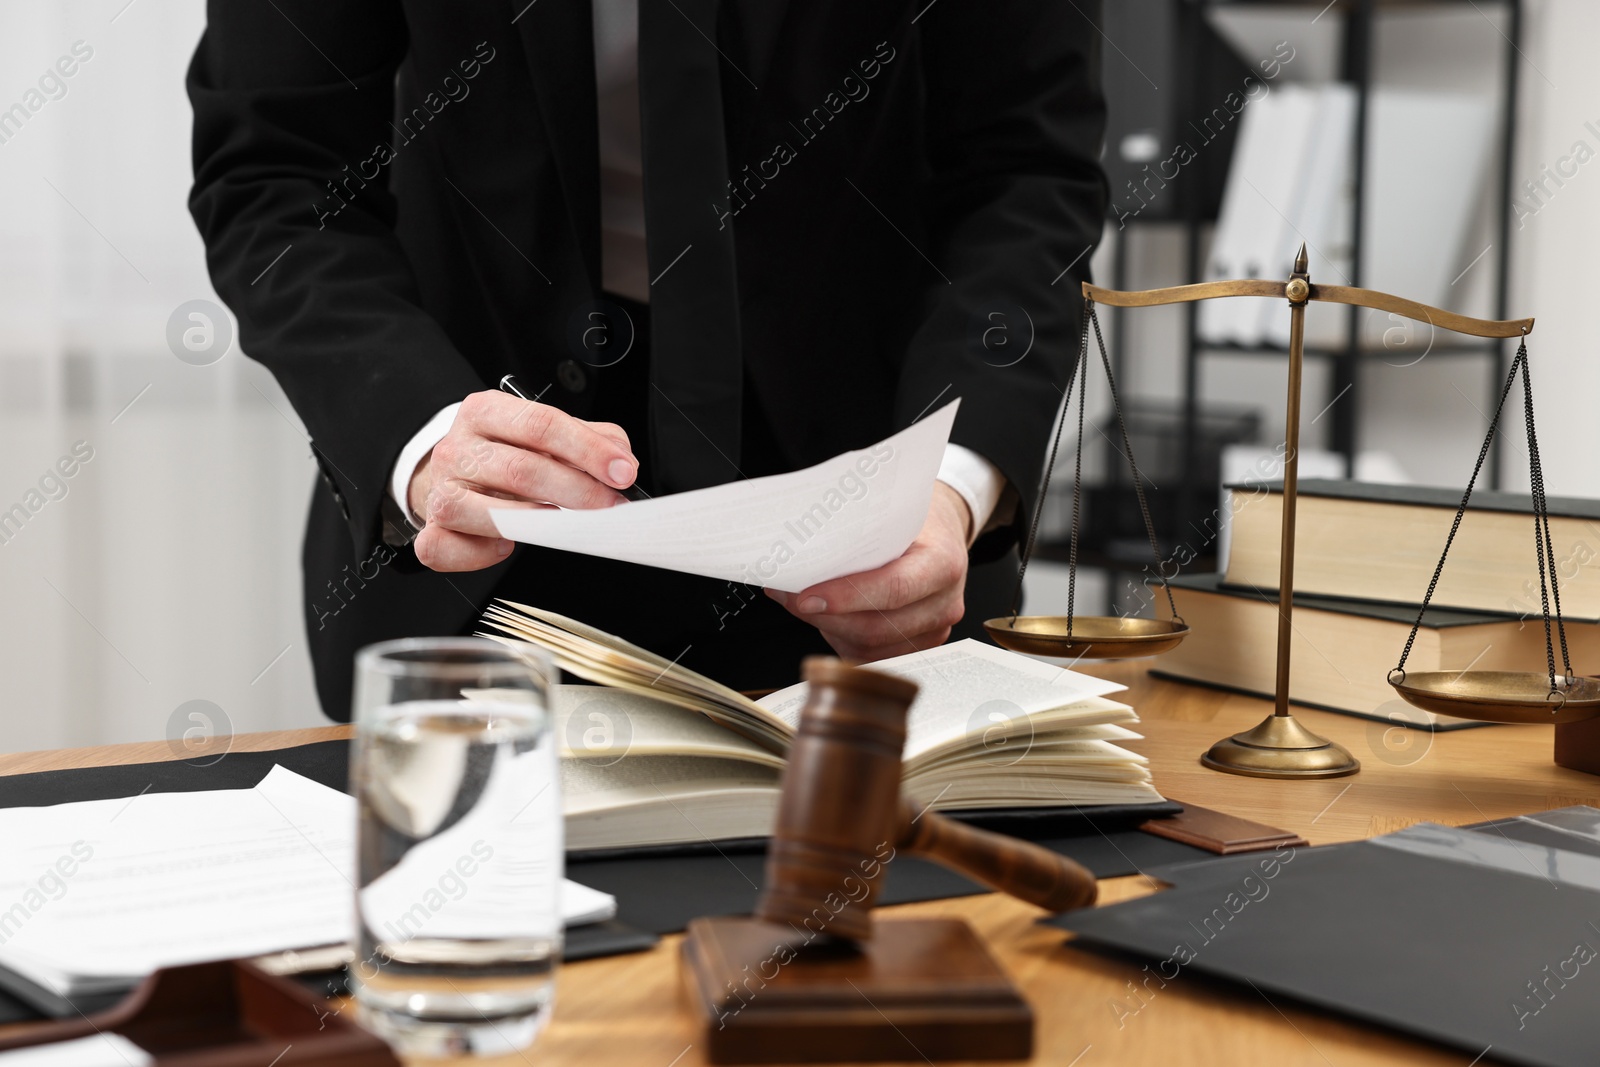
(559, 41)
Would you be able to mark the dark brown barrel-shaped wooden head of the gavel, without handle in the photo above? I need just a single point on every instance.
(839, 813)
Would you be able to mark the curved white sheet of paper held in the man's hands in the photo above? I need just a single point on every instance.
(849, 514)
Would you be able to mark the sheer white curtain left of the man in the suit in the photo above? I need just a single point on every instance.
(166, 570)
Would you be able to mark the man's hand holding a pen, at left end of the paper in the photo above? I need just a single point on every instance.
(505, 452)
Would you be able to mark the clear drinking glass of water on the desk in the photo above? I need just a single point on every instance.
(460, 847)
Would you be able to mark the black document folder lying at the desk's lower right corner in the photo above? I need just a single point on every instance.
(1482, 940)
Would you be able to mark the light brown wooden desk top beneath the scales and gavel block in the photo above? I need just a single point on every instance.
(628, 1010)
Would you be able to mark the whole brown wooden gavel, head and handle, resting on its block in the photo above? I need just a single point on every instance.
(842, 818)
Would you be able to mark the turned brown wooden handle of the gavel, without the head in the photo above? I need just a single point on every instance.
(1002, 863)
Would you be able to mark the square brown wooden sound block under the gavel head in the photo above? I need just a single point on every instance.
(918, 989)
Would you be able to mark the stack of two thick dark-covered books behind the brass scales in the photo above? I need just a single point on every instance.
(1364, 557)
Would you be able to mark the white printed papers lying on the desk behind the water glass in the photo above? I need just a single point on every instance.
(110, 890)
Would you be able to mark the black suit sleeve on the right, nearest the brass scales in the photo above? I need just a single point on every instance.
(1018, 198)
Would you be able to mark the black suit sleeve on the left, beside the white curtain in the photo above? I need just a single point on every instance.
(292, 100)
